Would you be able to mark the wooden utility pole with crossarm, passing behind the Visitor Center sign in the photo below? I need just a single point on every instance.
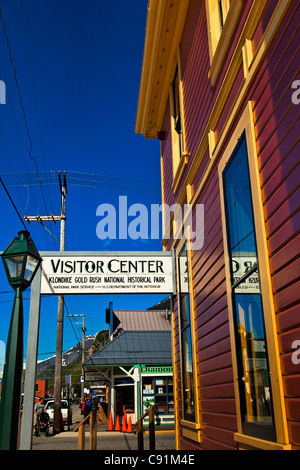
(60, 312)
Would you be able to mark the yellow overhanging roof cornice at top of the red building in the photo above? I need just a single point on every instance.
(164, 27)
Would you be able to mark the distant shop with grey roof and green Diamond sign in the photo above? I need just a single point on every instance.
(136, 363)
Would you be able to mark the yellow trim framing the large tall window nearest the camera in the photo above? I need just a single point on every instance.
(246, 124)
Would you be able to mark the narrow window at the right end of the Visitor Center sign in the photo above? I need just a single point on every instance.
(188, 378)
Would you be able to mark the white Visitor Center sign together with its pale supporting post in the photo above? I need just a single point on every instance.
(64, 273)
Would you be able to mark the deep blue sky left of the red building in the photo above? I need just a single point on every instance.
(78, 67)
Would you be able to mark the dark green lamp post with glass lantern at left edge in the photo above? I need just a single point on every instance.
(21, 260)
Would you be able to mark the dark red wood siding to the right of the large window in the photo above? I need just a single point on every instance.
(277, 127)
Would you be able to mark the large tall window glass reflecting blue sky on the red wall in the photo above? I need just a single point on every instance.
(248, 313)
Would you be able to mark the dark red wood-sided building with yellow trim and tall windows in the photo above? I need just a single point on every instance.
(220, 89)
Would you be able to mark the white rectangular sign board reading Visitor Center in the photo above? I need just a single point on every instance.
(113, 273)
